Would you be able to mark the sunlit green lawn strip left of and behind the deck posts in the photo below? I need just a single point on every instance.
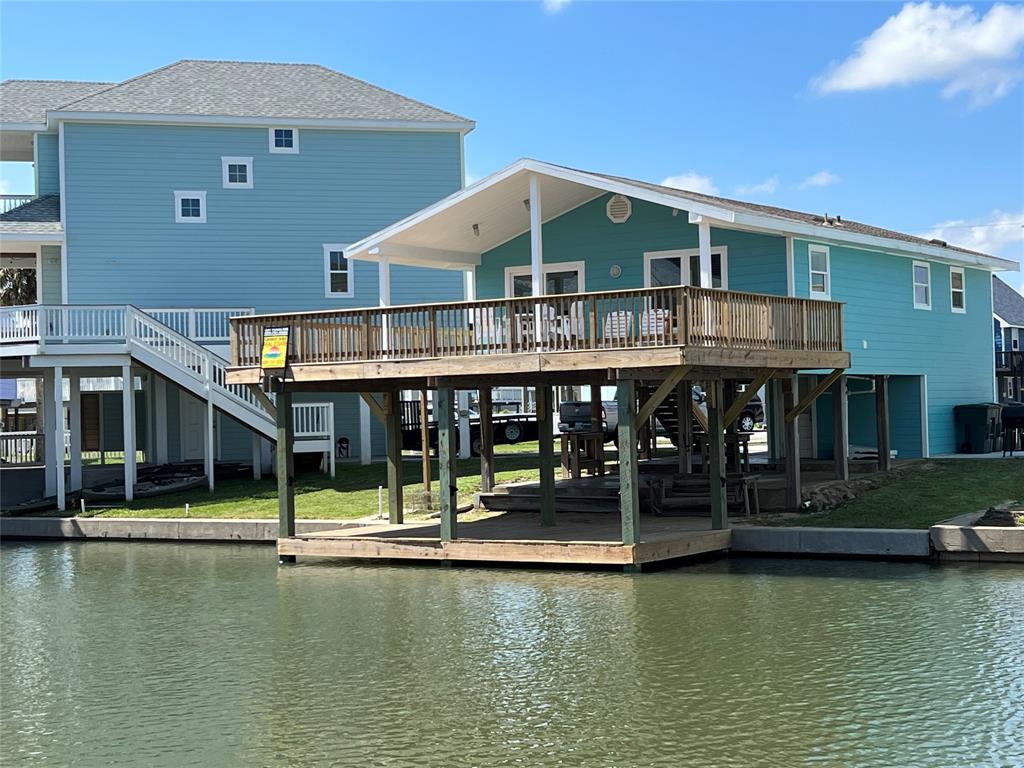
(352, 494)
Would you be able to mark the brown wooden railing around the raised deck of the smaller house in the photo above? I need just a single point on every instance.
(617, 320)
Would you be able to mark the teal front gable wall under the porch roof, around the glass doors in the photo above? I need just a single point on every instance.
(757, 263)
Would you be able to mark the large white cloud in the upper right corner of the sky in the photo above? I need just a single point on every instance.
(970, 55)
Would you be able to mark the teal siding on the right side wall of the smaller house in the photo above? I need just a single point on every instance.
(954, 351)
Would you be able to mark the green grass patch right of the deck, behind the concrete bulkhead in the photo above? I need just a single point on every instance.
(934, 492)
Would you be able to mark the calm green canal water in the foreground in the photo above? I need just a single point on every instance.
(205, 656)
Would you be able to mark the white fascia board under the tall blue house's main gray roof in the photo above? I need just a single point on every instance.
(383, 125)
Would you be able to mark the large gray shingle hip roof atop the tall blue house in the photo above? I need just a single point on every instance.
(245, 90)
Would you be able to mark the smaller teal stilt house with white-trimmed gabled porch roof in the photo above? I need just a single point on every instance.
(915, 312)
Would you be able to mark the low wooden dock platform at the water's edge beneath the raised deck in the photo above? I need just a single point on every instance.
(578, 539)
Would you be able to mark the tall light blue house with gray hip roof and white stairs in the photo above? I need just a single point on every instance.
(193, 193)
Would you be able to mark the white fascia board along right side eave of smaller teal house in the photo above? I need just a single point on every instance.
(872, 242)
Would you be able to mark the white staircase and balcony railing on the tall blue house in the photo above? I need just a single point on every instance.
(152, 344)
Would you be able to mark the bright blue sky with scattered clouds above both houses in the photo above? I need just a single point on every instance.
(904, 116)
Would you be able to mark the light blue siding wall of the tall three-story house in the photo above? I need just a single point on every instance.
(261, 247)
